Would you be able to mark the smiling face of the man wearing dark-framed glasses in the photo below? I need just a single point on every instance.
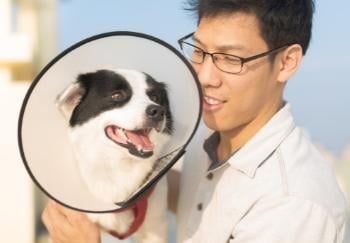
(235, 100)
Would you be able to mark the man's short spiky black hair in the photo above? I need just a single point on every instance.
(281, 22)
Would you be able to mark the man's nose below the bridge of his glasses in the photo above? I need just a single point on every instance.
(208, 73)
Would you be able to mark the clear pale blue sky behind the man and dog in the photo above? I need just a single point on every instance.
(319, 93)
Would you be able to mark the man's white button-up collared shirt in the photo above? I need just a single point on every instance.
(276, 188)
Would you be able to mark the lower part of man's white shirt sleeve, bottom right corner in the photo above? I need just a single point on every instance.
(287, 220)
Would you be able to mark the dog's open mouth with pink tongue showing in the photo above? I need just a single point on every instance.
(137, 142)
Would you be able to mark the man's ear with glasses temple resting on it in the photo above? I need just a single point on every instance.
(289, 62)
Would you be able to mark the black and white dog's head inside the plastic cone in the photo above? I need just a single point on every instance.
(129, 108)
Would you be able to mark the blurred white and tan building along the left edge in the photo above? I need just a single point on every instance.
(27, 41)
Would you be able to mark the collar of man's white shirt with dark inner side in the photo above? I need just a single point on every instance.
(248, 158)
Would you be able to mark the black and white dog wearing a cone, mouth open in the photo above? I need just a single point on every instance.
(118, 122)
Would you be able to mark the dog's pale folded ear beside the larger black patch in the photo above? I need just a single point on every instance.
(69, 99)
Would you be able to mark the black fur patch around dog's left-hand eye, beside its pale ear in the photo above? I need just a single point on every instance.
(100, 86)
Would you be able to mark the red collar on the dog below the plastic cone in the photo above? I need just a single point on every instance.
(139, 208)
